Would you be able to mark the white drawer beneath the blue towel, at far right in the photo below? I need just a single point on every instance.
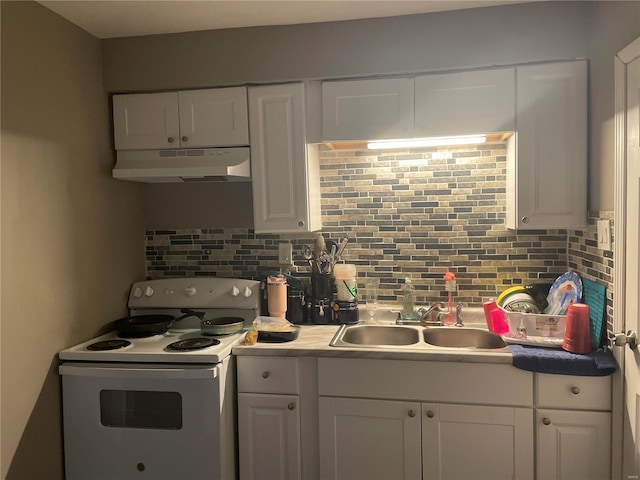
(573, 392)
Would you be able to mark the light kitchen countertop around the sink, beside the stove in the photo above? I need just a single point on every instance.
(313, 341)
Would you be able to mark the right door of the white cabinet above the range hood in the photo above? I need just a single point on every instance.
(214, 117)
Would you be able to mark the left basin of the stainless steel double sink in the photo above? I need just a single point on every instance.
(375, 335)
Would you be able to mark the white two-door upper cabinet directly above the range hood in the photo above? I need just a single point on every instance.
(195, 118)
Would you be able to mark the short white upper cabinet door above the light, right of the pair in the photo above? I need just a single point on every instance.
(465, 103)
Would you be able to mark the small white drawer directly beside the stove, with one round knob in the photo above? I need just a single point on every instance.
(267, 375)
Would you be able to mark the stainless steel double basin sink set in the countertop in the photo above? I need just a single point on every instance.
(377, 336)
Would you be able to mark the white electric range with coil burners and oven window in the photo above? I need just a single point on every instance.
(136, 408)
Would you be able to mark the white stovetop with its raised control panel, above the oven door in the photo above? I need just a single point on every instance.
(215, 297)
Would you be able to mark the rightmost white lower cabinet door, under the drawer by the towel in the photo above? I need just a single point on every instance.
(573, 445)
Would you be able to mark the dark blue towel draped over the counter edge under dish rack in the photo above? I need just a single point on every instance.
(547, 360)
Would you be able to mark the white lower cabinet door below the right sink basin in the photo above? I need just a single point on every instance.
(484, 443)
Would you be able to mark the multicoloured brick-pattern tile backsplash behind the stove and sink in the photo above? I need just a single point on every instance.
(415, 213)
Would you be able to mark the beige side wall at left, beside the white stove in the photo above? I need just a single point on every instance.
(72, 237)
